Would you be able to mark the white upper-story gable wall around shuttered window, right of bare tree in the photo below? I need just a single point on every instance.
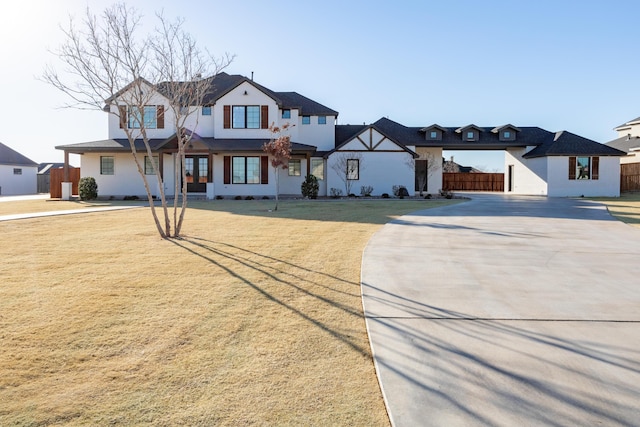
(237, 97)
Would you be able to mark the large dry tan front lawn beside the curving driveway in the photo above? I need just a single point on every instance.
(254, 318)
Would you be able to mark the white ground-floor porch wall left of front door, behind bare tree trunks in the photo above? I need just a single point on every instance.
(126, 181)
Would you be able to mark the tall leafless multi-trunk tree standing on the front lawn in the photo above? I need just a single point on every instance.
(110, 67)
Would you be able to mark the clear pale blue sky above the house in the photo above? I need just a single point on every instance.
(561, 65)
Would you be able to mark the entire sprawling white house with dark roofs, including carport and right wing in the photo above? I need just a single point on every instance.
(224, 157)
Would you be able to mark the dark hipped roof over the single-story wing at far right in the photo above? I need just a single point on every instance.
(568, 144)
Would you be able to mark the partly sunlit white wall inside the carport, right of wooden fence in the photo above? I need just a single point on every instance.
(529, 177)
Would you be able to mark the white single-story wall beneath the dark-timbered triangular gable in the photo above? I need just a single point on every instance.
(380, 170)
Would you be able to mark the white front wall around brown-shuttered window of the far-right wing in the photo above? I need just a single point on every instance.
(607, 184)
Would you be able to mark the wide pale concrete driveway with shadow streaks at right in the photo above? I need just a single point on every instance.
(506, 310)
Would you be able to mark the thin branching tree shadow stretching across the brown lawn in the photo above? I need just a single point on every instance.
(291, 277)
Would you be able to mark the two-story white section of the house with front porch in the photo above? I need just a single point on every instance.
(224, 156)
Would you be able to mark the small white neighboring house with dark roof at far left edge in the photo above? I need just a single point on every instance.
(17, 173)
